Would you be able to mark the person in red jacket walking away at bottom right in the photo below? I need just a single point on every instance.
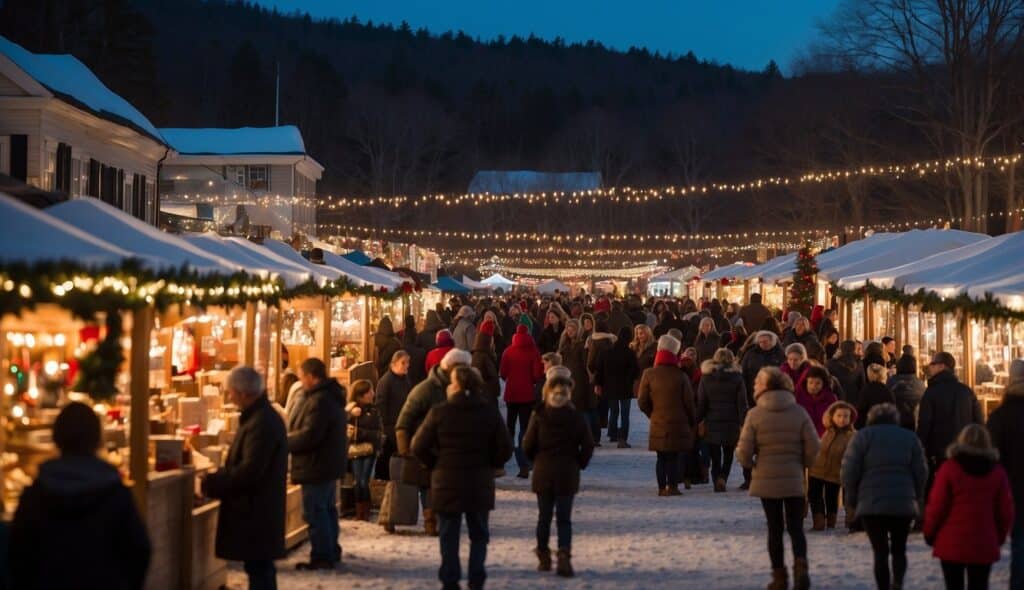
(970, 511)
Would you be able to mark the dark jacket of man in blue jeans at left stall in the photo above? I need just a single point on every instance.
(317, 437)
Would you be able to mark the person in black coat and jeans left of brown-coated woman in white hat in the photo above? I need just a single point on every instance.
(615, 373)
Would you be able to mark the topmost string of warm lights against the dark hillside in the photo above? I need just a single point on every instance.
(625, 194)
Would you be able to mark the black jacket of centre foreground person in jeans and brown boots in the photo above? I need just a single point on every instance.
(560, 445)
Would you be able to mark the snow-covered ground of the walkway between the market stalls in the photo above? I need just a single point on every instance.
(624, 537)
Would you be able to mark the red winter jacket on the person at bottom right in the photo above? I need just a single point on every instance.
(970, 511)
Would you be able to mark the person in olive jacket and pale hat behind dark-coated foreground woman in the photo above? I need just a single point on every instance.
(425, 396)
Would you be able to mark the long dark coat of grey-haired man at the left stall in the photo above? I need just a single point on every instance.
(251, 488)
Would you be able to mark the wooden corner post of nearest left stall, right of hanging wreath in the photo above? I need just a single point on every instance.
(139, 443)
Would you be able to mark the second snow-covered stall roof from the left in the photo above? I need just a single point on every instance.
(95, 217)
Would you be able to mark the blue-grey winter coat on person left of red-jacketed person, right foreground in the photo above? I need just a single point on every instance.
(884, 473)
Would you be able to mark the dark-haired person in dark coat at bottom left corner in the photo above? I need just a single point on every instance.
(77, 526)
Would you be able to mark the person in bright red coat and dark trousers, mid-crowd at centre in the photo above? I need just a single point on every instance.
(522, 368)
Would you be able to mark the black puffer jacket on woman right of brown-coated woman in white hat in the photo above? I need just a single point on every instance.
(721, 403)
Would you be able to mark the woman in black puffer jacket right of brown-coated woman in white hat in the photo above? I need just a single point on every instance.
(722, 409)
